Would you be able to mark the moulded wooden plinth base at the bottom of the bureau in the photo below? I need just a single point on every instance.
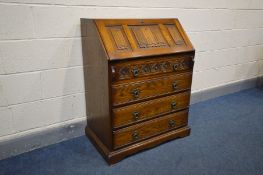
(115, 156)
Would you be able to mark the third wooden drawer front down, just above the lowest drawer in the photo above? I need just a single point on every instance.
(140, 111)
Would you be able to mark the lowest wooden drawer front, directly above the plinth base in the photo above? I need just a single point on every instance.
(148, 129)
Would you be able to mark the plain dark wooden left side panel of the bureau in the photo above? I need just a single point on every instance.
(96, 82)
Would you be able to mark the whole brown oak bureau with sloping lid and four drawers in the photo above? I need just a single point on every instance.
(138, 75)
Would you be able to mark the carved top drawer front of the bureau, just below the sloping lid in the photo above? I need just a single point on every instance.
(148, 67)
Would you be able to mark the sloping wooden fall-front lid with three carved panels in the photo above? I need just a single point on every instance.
(129, 38)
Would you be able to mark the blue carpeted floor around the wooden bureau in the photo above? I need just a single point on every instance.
(226, 138)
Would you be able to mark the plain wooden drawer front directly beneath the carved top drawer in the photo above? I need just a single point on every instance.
(131, 92)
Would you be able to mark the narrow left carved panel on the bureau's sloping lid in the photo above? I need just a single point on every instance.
(119, 38)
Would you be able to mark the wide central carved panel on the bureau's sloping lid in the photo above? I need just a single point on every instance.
(148, 36)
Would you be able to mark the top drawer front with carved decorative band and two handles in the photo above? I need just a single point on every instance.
(137, 69)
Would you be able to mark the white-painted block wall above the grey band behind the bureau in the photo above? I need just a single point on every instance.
(41, 66)
